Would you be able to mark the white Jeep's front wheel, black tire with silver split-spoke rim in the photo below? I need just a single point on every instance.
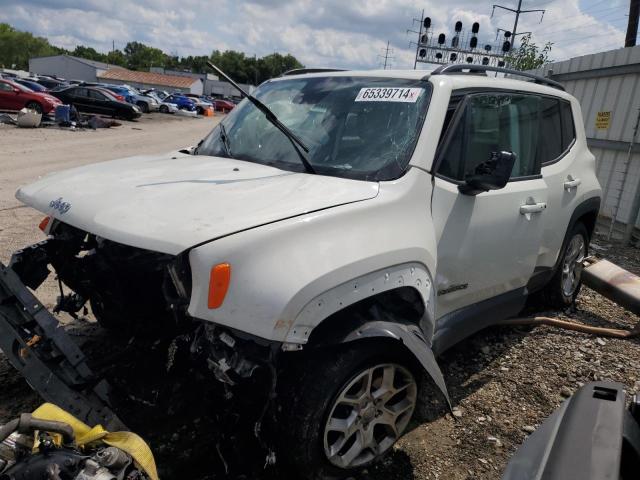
(349, 407)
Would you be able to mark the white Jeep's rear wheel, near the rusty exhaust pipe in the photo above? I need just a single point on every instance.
(564, 287)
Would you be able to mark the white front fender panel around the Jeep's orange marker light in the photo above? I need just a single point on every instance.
(279, 268)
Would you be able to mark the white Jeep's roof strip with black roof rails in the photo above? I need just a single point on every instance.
(456, 81)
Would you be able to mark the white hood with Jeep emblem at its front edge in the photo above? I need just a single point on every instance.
(172, 202)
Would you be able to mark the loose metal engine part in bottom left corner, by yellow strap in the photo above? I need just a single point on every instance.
(21, 458)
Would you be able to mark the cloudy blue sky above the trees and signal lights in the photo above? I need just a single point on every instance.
(320, 33)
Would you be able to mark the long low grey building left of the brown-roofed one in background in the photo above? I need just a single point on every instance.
(69, 67)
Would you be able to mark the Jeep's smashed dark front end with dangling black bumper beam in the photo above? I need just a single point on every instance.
(157, 362)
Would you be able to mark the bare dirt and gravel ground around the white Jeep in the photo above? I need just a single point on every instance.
(502, 381)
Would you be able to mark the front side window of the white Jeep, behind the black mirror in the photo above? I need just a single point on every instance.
(493, 123)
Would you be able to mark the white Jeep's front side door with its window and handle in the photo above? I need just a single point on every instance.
(488, 244)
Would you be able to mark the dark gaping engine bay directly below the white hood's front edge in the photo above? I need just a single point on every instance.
(125, 286)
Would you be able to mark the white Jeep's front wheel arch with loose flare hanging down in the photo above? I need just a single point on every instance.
(396, 304)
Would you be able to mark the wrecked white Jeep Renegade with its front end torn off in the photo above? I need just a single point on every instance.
(388, 216)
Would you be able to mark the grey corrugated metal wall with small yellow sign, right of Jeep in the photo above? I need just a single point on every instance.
(607, 85)
